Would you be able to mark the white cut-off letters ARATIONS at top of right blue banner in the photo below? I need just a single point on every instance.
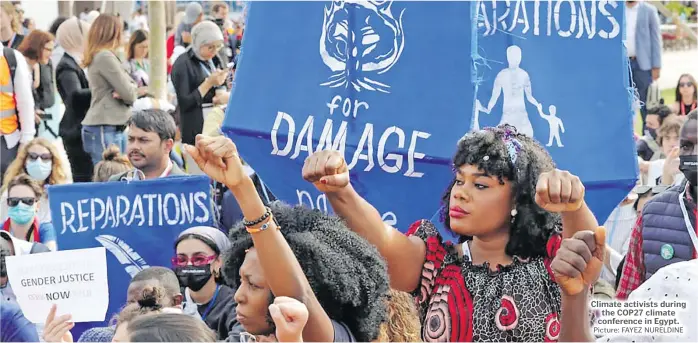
(513, 17)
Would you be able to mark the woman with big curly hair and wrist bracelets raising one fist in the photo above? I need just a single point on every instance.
(295, 252)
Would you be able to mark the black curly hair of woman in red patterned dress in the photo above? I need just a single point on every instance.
(532, 225)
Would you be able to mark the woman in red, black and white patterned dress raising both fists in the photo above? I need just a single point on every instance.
(496, 283)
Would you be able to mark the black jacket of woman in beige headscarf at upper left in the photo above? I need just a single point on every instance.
(75, 91)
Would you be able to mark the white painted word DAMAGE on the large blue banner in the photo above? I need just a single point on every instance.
(389, 162)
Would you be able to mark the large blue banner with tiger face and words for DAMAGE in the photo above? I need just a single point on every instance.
(387, 83)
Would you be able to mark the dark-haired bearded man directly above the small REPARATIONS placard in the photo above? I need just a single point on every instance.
(151, 136)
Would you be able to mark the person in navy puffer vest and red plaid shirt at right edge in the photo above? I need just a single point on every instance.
(665, 233)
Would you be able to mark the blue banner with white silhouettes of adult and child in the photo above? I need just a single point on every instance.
(558, 71)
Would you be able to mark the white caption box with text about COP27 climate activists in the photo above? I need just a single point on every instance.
(638, 317)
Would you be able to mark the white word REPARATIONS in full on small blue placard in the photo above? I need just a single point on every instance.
(153, 209)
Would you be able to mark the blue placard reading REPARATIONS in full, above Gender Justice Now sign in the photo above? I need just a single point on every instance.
(137, 222)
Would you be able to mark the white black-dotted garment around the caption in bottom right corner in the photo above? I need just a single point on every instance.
(678, 281)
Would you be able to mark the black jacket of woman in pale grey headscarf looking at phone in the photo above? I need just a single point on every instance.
(187, 75)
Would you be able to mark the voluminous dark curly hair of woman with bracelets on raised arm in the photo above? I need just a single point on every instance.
(347, 274)
